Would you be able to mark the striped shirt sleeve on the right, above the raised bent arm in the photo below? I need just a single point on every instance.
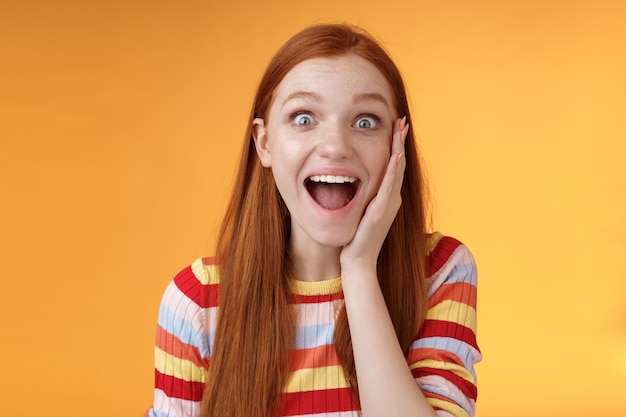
(443, 356)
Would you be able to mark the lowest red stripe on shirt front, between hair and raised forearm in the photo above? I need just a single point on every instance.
(319, 401)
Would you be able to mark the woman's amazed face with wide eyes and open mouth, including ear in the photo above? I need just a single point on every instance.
(327, 139)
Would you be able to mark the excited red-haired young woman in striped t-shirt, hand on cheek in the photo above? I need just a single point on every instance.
(327, 295)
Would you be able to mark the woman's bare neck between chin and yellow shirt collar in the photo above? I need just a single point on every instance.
(314, 262)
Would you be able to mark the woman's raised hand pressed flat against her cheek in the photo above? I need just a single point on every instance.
(381, 211)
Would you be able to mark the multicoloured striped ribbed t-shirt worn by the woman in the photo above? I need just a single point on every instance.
(441, 358)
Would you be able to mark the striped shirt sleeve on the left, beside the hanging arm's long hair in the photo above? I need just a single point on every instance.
(182, 348)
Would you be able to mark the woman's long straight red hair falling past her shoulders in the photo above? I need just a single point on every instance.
(255, 330)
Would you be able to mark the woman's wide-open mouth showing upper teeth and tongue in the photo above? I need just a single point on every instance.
(332, 191)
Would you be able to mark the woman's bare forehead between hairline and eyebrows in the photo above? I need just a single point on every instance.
(346, 73)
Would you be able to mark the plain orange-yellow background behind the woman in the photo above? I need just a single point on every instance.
(121, 122)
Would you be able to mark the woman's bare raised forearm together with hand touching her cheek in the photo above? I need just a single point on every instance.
(377, 353)
